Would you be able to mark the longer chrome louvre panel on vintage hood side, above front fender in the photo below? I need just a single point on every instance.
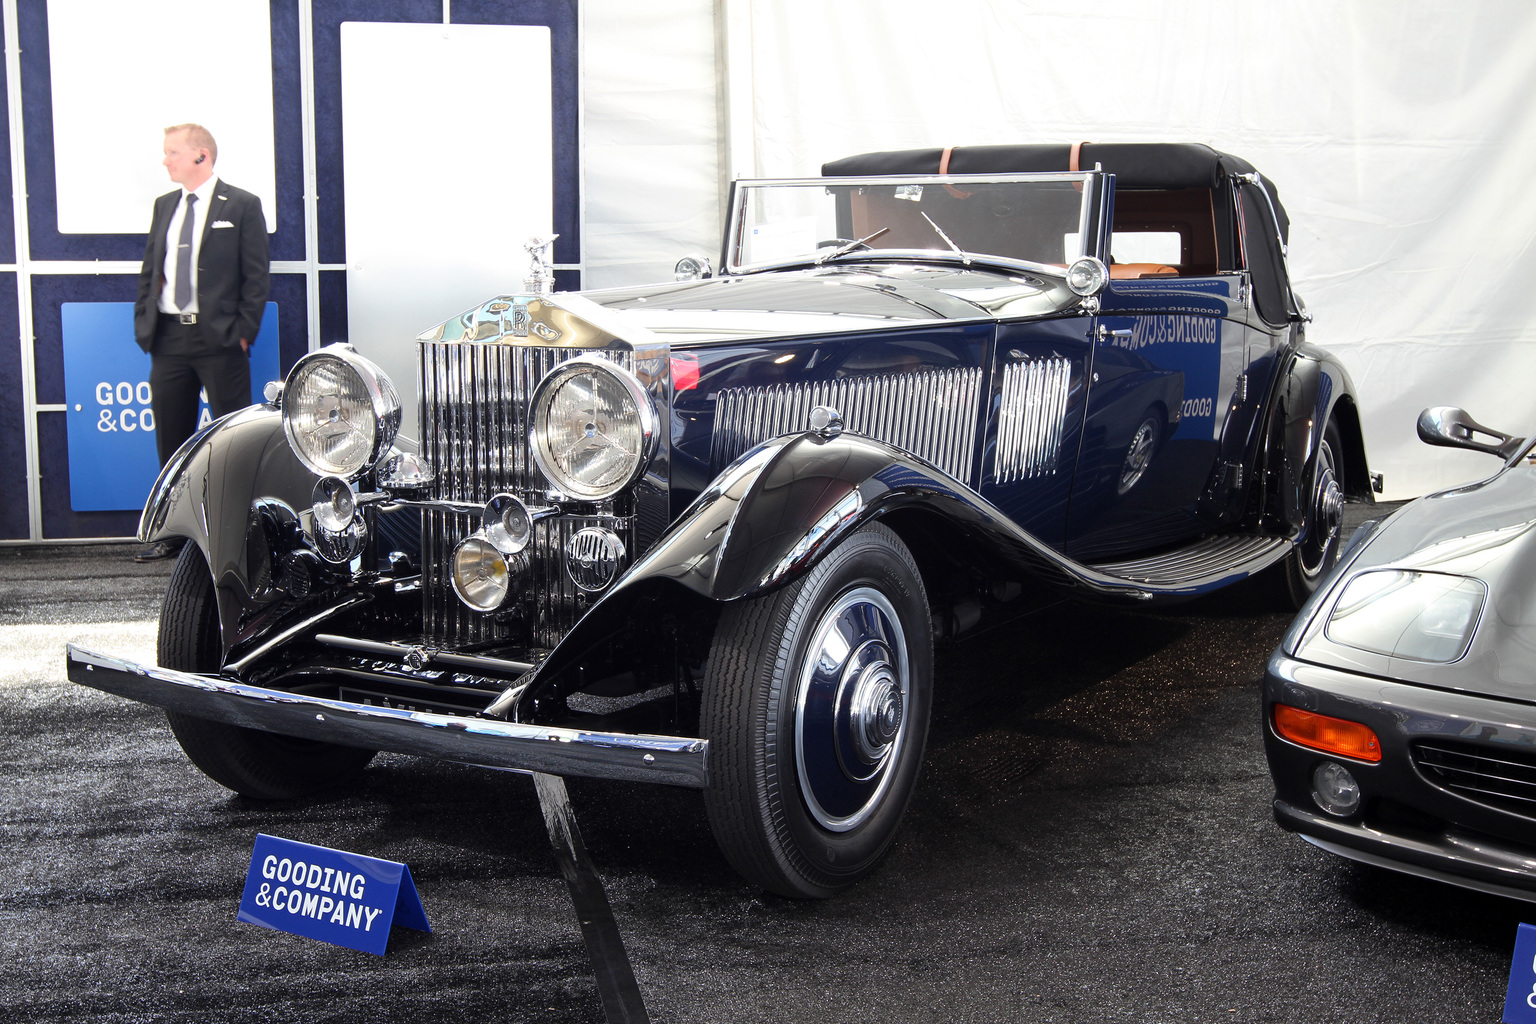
(930, 414)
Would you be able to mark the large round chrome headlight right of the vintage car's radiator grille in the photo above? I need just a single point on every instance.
(592, 428)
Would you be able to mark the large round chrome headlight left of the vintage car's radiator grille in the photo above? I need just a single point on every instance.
(340, 412)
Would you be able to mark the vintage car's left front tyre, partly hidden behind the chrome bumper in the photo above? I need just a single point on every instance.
(254, 764)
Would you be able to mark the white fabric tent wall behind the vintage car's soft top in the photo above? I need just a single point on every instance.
(1400, 137)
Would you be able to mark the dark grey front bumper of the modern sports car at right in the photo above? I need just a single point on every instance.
(1408, 824)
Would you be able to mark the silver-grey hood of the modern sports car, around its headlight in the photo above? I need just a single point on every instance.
(1486, 532)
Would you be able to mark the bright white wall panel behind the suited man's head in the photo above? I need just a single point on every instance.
(122, 73)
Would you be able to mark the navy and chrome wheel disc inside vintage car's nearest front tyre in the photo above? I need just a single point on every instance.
(852, 710)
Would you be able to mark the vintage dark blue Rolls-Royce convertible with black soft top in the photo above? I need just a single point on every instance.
(707, 533)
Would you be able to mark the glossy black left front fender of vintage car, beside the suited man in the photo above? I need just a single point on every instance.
(208, 491)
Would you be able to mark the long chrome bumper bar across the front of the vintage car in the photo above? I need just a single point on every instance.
(632, 758)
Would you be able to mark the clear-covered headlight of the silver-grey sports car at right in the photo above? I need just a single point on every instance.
(1402, 613)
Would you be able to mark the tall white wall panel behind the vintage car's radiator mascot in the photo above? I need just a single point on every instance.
(449, 168)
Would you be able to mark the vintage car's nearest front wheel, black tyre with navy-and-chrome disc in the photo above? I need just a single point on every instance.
(816, 709)
